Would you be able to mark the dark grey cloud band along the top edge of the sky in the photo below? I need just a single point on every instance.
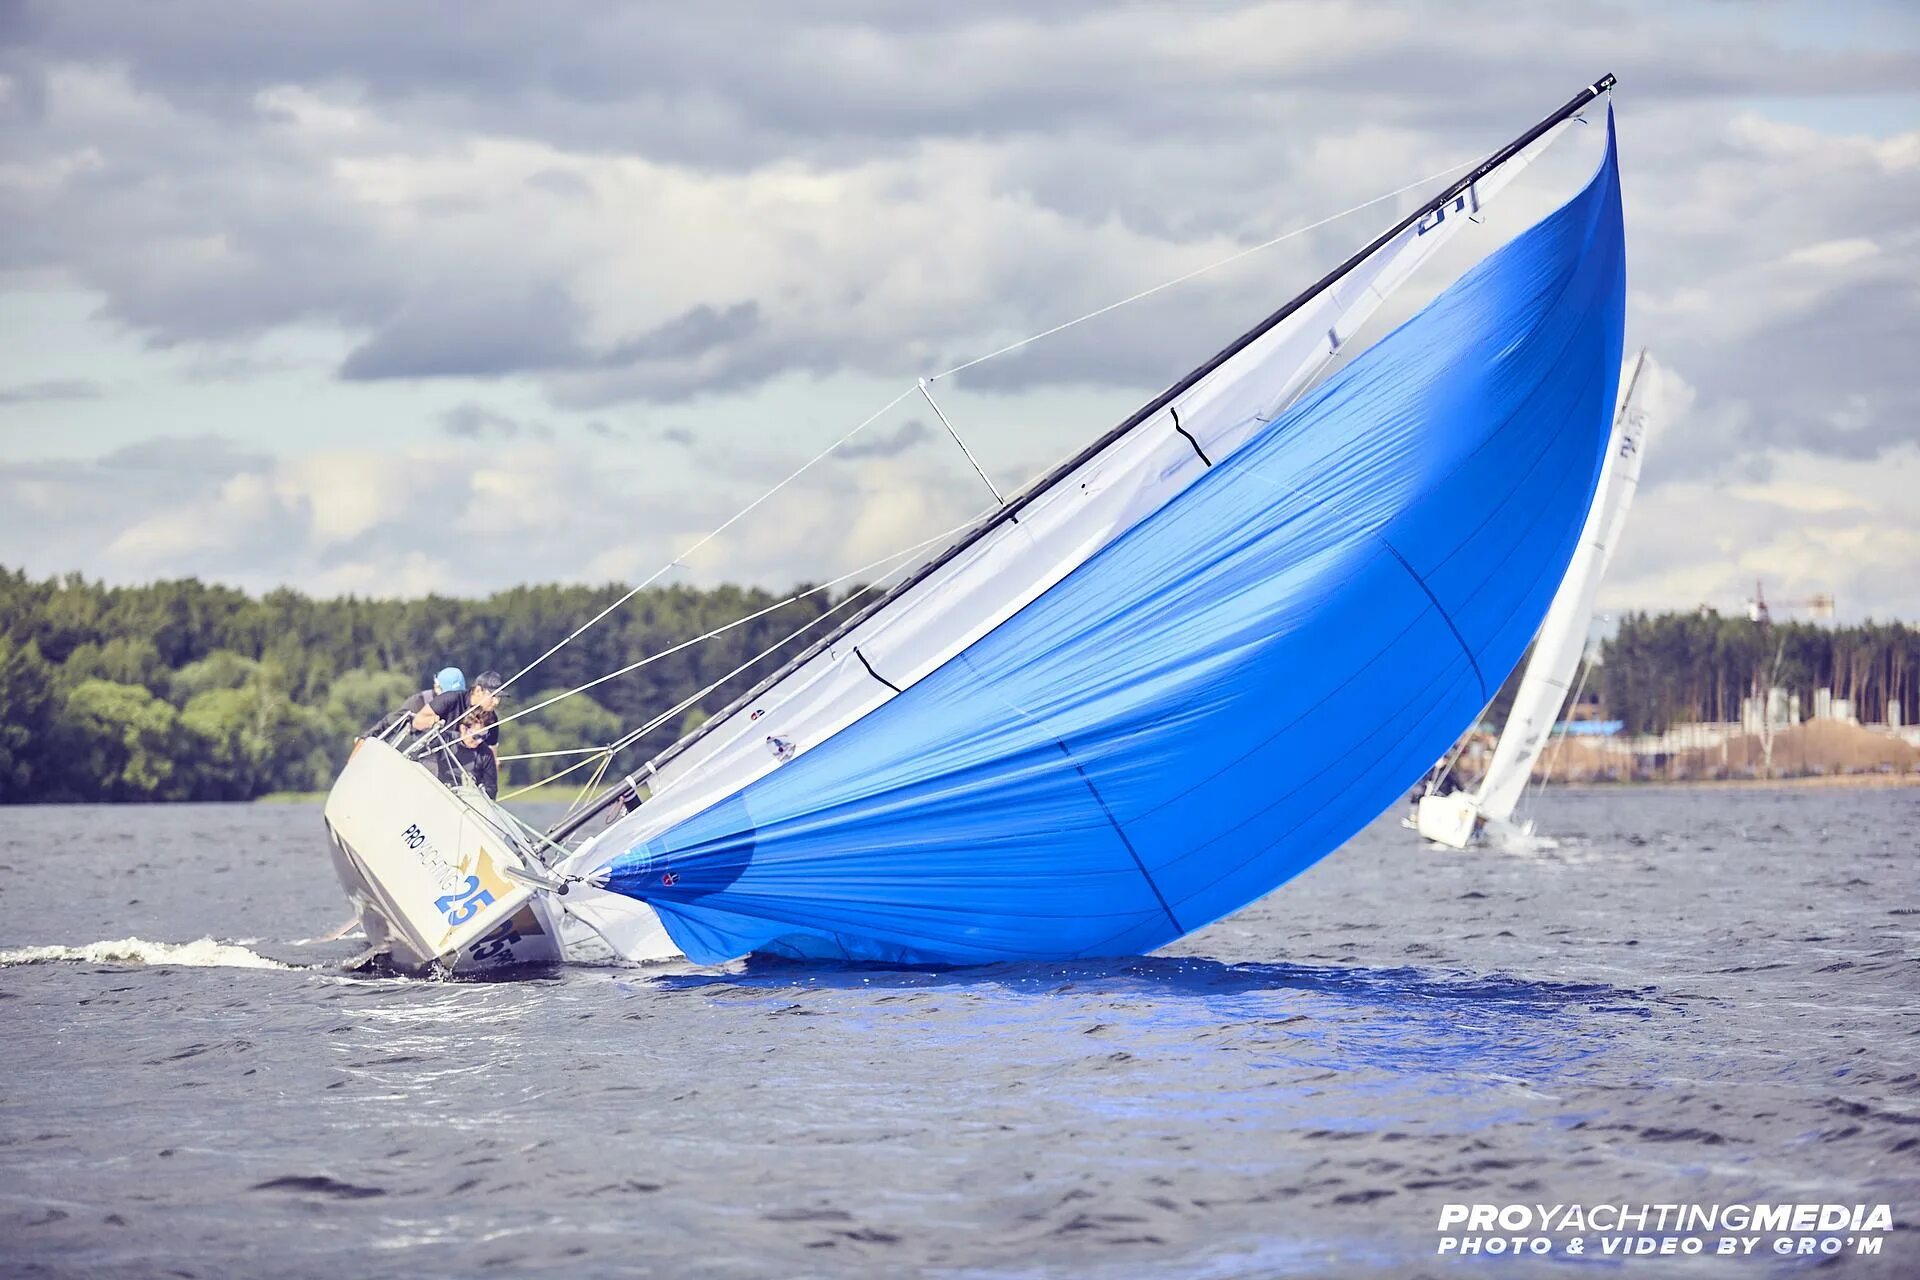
(744, 85)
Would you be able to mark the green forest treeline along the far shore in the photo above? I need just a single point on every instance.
(193, 692)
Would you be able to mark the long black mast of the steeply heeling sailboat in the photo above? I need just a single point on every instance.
(629, 786)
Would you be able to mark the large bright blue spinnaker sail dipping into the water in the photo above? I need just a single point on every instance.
(1228, 692)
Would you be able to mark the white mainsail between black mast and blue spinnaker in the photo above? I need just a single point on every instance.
(1063, 521)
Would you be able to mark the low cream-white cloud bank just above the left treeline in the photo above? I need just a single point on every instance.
(381, 523)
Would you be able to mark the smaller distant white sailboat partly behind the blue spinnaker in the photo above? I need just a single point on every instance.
(1456, 818)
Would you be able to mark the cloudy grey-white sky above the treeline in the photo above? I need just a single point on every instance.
(395, 298)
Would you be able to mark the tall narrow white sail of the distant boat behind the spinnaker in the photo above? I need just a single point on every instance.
(1562, 638)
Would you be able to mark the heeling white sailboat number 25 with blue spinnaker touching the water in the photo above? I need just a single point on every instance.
(1143, 692)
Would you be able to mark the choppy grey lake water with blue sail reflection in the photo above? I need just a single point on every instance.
(1704, 997)
